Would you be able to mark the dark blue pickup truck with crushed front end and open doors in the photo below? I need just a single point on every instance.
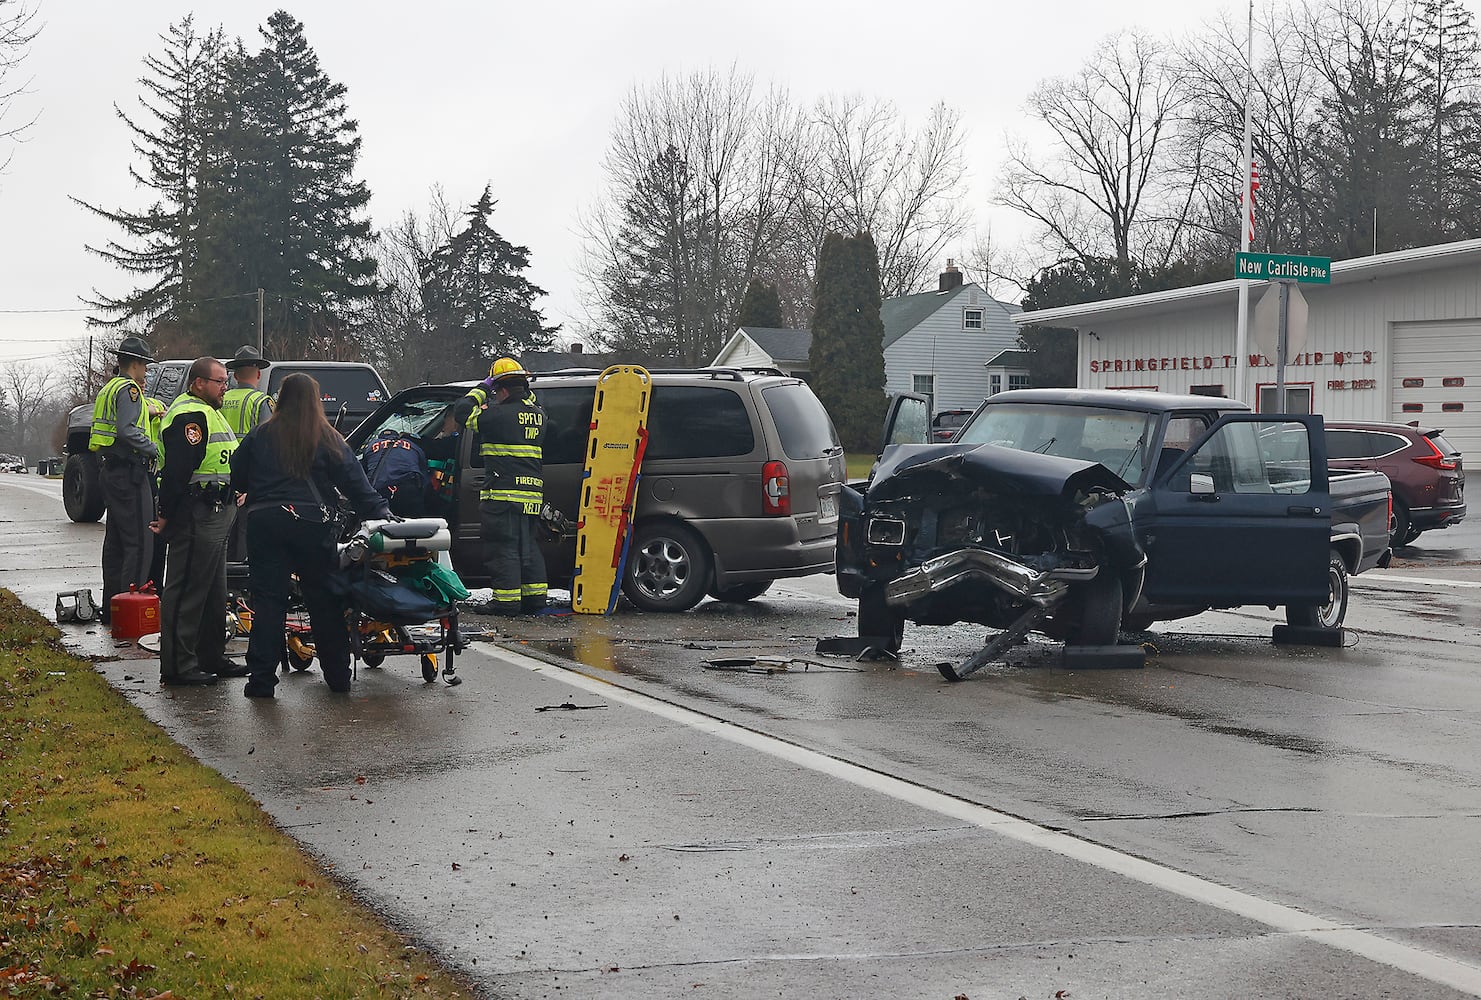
(1086, 512)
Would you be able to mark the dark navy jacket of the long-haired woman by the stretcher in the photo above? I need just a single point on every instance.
(258, 472)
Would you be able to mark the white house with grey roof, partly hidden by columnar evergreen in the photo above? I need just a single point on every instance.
(935, 343)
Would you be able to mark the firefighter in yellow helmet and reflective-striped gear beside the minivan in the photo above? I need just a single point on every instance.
(509, 427)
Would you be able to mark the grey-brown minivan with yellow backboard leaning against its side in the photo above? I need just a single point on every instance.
(740, 481)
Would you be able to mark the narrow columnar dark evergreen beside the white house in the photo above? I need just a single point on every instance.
(848, 352)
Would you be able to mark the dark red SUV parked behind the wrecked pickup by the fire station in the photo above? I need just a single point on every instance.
(1423, 466)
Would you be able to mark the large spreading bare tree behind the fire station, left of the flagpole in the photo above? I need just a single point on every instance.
(1111, 189)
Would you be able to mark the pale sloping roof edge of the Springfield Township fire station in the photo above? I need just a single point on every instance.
(1363, 269)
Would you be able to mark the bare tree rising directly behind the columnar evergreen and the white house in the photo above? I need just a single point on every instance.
(873, 174)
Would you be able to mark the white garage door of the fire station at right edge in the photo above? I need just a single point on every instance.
(1437, 381)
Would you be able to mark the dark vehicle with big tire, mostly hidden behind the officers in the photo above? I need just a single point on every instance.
(350, 393)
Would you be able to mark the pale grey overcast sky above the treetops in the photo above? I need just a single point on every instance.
(516, 96)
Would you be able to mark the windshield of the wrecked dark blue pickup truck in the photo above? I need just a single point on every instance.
(1117, 439)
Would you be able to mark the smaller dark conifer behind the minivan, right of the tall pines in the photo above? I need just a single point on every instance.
(478, 300)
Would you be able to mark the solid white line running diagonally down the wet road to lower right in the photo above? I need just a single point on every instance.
(1365, 944)
